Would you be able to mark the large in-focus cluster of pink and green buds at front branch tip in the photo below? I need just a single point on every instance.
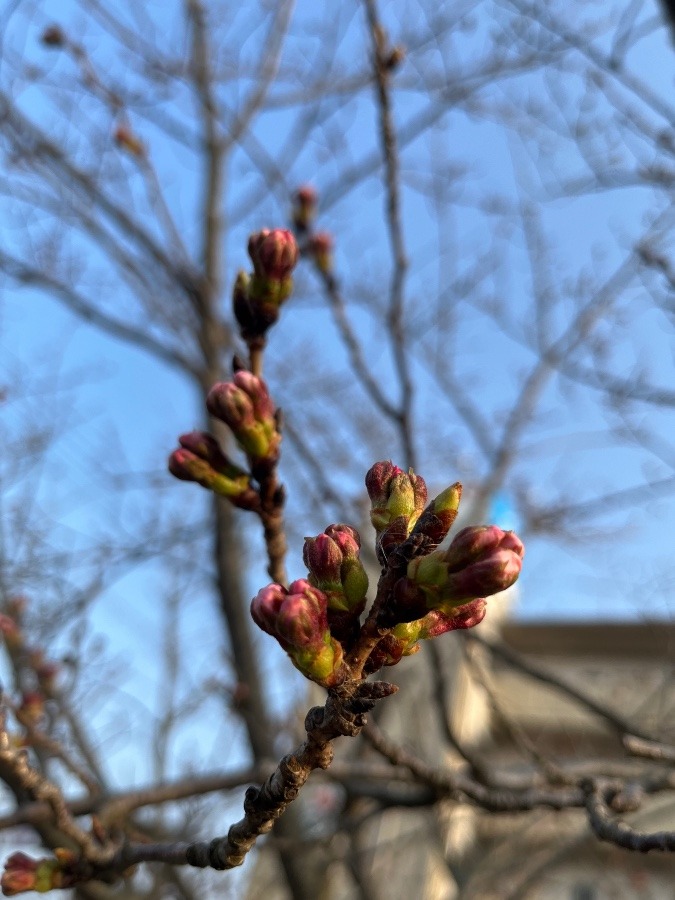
(427, 592)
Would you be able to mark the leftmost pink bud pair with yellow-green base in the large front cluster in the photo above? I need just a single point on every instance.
(298, 618)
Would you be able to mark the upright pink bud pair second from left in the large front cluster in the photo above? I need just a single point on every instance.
(335, 567)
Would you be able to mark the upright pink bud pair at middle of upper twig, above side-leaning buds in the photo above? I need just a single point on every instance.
(244, 404)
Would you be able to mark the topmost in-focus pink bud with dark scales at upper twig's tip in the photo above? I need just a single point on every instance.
(257, 298)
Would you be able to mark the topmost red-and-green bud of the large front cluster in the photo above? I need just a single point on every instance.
(393, 494)
